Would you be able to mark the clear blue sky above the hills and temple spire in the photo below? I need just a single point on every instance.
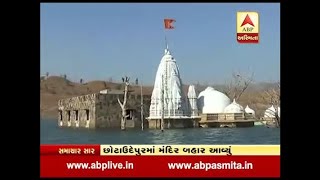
(104, 41)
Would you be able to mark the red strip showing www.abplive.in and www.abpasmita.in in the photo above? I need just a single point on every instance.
(158, 166)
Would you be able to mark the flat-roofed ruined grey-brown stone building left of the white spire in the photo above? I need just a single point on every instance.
(99, 110)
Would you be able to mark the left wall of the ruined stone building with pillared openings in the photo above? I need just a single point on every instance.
(77, 111)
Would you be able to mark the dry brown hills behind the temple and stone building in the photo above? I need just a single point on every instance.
(54, 88)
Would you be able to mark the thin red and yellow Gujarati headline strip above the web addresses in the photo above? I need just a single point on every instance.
(160, 150)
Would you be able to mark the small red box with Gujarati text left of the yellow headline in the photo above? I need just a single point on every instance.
(70, 149)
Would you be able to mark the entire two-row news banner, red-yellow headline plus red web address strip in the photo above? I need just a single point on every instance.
(160, 160)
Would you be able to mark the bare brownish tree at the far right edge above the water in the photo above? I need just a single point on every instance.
(272, 97)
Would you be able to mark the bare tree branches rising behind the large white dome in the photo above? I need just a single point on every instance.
(237, 85)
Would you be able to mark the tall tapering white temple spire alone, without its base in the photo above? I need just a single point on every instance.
(167, 90)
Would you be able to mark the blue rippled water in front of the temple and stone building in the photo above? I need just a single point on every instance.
(52, 134)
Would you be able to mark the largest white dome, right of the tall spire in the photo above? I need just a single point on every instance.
(212, 101)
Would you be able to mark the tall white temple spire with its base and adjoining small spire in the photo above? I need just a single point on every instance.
(169, 105)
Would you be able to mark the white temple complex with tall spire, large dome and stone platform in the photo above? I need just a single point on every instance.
(170, 107)
